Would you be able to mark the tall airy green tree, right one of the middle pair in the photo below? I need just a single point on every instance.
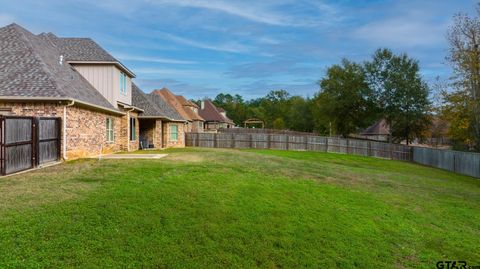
(400, 92)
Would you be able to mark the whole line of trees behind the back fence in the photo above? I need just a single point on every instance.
(354, 95)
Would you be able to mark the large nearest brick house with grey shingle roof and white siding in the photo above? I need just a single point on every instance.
(91, 91)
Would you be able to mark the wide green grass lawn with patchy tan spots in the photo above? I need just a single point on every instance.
(206, 208)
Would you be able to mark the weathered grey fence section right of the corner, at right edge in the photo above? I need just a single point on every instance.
(466, 163)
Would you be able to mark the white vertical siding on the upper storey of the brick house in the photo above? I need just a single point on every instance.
(106, 79)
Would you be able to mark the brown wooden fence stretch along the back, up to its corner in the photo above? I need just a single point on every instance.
(299, 142)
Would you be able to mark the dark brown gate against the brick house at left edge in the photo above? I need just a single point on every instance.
(26, 142)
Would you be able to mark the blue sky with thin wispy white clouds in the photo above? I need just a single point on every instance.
(199, 48)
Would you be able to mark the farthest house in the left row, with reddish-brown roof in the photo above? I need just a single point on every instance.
(215, 118)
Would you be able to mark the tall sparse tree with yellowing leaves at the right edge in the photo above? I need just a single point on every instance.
(464, 57)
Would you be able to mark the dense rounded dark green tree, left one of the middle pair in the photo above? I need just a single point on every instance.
(345, 100)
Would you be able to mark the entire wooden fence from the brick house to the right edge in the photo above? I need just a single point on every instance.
(465, 163)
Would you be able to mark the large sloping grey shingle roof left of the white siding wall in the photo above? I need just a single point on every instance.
(30, 67)
